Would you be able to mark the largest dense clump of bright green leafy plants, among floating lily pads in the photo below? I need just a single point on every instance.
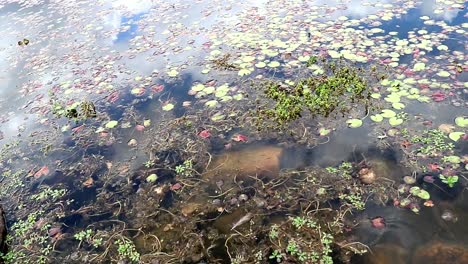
(337, 90)
